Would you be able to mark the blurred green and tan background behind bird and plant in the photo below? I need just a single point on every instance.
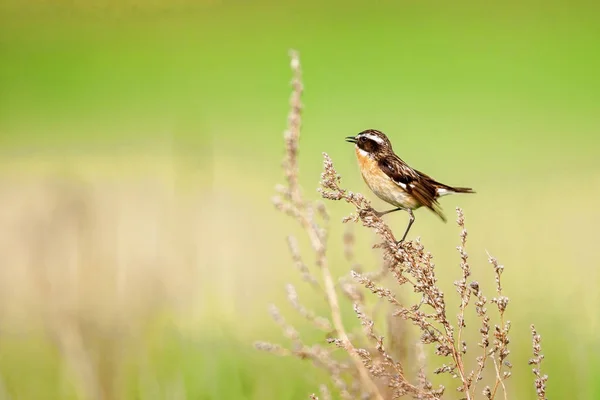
(141, 141)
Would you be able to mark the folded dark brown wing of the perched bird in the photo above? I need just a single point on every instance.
(417, 184)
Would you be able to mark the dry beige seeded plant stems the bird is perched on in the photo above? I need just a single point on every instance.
(369, 369)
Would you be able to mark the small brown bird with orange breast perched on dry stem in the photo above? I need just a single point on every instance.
(393, 181)
